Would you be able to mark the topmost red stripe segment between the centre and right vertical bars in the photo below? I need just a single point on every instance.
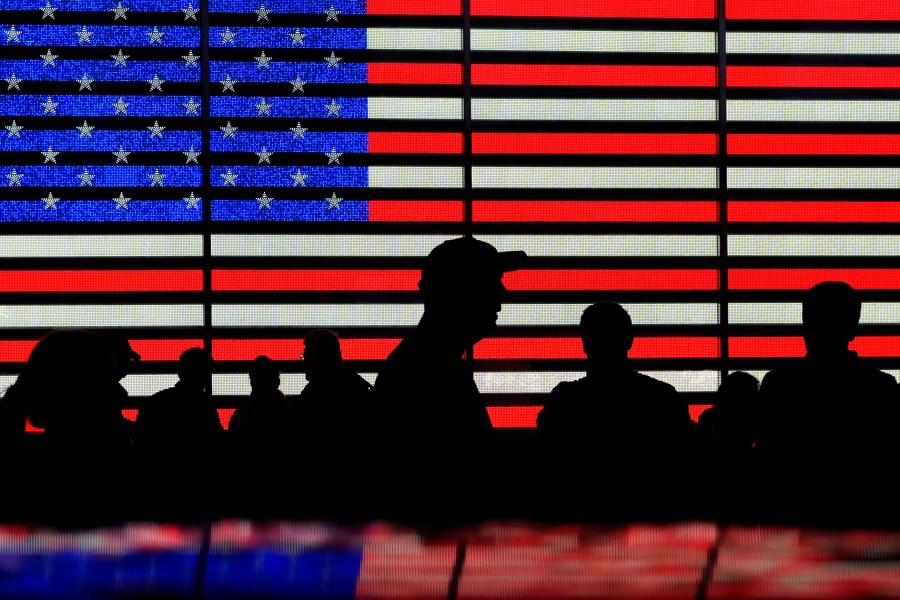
(609, 9)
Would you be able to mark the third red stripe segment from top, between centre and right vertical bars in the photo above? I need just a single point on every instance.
(594, 143)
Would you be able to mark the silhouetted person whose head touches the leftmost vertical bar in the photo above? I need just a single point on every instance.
(179, 439)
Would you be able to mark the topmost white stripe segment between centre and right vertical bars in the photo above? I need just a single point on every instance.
(538, 40)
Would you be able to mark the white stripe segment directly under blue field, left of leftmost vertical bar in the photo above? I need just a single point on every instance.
(108, 246)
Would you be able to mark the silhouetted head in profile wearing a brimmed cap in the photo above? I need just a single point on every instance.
(462, 285)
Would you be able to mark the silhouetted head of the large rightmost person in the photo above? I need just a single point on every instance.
(831, 311)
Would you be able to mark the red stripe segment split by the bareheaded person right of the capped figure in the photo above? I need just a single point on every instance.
(567, 348)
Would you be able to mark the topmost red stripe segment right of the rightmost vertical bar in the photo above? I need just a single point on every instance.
(814, 10)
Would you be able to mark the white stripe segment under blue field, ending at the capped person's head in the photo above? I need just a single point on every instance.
(324, 244)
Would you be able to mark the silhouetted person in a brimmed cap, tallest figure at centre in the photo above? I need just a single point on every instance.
(438, 434)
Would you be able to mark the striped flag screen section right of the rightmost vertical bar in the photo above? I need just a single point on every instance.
(813, 145)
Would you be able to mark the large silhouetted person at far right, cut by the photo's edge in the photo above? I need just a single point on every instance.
(828, 426)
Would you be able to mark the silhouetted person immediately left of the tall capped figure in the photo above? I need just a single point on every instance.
(332, 420)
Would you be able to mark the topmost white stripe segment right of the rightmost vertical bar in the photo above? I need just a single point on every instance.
(754, 42)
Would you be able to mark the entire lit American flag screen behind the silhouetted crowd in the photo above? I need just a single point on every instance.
(235, 173)
